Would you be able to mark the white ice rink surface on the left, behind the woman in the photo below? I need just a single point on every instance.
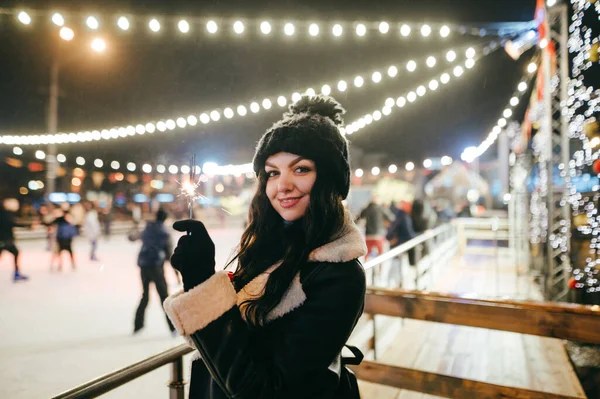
(62, 329)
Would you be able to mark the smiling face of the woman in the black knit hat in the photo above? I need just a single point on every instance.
(290, 178)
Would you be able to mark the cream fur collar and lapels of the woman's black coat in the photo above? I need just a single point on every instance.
(347, 246)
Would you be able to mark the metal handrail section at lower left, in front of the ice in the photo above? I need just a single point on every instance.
(115, 379)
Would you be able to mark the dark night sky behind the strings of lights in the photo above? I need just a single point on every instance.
(145, 76)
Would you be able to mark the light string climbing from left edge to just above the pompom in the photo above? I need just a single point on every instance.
(215, 115)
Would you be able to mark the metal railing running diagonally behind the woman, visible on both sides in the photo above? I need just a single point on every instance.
(438, 237)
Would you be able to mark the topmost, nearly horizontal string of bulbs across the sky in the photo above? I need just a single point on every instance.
(238, 27)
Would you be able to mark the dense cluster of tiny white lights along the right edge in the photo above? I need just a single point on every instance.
(584, 105)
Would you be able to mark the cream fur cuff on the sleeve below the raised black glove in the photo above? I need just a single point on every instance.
(193, 310)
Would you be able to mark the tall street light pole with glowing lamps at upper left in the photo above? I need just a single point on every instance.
(98, 45)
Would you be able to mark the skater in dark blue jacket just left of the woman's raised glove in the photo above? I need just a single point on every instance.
(156, 249)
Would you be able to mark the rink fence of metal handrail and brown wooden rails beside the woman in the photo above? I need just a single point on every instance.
(556, 320)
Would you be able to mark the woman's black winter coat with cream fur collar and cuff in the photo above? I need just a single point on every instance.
(297, 354)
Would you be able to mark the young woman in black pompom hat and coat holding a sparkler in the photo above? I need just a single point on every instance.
(277, 326)
